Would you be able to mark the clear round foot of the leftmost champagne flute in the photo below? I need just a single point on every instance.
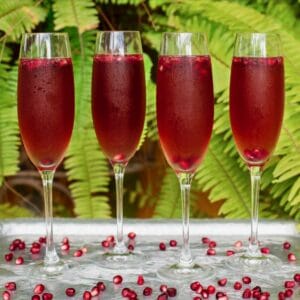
(39, 270)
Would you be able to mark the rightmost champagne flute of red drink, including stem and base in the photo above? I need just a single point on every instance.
(256, 113)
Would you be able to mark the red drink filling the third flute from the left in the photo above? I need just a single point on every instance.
(185, 104)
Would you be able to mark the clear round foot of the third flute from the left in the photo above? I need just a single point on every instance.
(180, 273)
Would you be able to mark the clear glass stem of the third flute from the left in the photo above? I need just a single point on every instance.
(185, 180)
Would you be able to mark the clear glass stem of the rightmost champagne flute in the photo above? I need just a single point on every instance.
(255, 173)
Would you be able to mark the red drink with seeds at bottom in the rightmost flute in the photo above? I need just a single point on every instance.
(256, 106)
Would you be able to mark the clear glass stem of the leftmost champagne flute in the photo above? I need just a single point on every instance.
(51, 257)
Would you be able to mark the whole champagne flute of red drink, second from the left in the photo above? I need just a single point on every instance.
(118, 108)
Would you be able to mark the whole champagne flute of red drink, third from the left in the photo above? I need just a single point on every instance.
(185, 108)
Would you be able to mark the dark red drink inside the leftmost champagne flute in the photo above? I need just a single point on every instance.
(46, 109)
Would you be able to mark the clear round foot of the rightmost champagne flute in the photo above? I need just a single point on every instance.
(247, 263)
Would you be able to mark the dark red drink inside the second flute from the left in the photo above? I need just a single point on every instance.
(118, 104)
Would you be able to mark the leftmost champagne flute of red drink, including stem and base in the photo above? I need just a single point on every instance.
(46, 116)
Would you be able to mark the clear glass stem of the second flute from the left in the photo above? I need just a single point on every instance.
(119, 170)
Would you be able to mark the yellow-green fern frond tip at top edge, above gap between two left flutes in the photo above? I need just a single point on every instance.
(75, 13)
